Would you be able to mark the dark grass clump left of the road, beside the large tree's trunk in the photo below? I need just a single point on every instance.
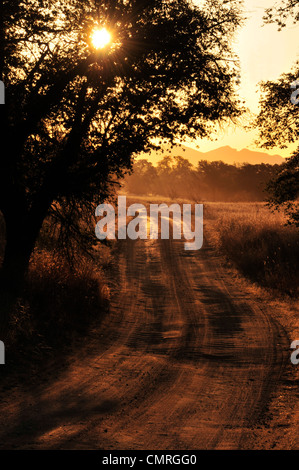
(58, 305)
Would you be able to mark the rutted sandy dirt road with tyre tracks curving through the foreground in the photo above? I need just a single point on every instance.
(183, 361)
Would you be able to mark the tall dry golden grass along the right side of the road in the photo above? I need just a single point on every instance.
(258, 243)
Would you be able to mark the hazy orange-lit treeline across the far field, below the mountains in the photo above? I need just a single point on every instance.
(209, 181)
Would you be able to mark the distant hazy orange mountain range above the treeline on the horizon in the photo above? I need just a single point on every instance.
(226, 154)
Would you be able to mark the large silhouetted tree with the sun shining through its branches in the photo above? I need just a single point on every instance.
(75, 115)
